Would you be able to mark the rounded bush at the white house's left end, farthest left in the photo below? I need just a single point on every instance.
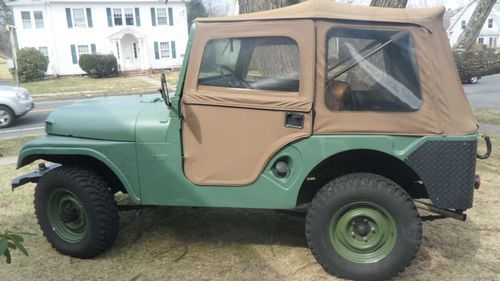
(32, 64)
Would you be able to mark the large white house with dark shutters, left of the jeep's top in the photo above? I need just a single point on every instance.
(142, 34)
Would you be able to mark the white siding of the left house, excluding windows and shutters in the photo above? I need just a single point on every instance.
(58, 37)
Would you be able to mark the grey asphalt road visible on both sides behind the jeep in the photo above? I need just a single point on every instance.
(486, 94)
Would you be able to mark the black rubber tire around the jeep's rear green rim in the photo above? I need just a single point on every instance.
(374, 189)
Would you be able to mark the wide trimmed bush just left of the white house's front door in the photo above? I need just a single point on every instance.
(99, 66)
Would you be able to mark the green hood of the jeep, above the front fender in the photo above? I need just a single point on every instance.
(110, 118)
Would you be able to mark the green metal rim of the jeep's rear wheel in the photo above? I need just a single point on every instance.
(363, 232)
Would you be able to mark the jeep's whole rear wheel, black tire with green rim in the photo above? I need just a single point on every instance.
(363, 227)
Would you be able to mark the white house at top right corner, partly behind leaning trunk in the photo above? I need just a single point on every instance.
(490, 34)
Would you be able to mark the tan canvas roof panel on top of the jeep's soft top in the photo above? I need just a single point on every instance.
(326, 9)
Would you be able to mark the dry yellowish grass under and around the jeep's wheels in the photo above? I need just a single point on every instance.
(228, 244)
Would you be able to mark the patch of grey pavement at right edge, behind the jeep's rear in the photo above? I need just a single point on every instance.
(486, 93)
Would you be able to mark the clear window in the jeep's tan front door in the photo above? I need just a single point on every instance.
(262, 63)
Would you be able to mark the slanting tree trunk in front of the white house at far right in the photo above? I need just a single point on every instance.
(476, 22)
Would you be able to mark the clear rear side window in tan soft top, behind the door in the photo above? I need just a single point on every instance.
(372, 70)
